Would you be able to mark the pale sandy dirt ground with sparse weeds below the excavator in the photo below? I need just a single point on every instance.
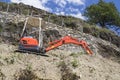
(60, 65)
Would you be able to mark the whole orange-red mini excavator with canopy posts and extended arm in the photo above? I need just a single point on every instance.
(30, 44)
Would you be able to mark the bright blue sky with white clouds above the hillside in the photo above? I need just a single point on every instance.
(63, 7)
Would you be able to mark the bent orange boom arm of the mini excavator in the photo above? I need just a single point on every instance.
(69, 40)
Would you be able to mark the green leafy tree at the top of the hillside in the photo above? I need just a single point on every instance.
(103, 14)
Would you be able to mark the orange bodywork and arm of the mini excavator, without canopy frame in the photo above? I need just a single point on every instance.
(31, 44)
